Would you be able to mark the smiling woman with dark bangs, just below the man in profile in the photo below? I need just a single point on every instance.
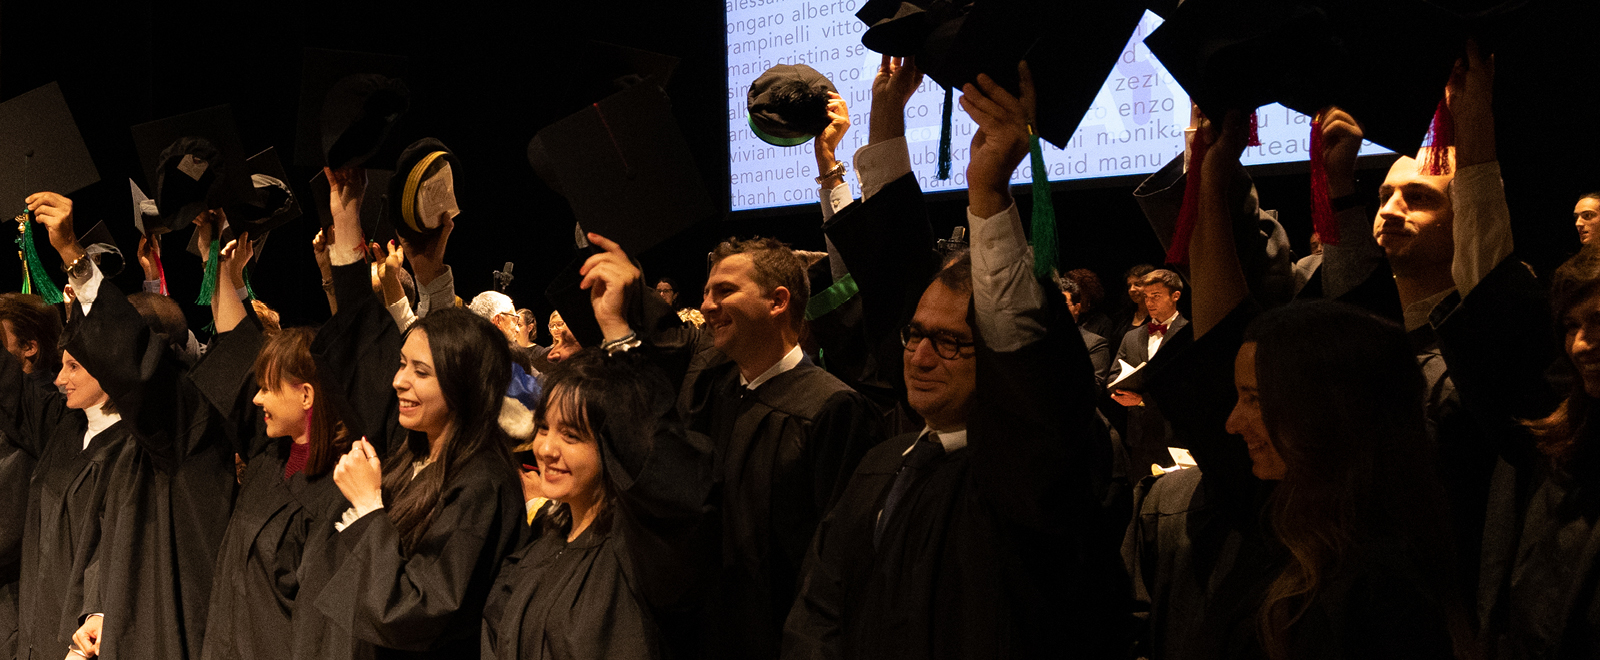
(612, 558)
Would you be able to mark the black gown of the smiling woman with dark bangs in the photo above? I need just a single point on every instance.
(606, 594)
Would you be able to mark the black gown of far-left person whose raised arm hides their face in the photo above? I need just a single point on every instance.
(169, 504)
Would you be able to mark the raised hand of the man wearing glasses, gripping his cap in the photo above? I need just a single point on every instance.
(1001, 142)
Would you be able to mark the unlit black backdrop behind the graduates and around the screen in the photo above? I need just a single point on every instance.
(486, 78)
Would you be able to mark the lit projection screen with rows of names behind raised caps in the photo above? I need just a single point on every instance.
(1135, 126)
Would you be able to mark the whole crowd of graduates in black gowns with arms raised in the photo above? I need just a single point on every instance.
(898, 449)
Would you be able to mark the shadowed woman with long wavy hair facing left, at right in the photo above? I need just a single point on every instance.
(1330, 406)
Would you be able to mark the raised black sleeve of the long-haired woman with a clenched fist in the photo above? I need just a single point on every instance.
(358, 355)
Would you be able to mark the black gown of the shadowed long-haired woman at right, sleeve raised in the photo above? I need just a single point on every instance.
(1202, 557)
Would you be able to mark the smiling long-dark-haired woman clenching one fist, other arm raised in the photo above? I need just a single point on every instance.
(434, 499)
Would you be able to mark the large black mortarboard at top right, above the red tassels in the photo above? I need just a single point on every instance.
(1385, 62)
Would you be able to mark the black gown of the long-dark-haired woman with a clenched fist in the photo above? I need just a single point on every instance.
(361, 597)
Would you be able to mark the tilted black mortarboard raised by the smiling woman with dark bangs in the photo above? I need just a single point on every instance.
(625, 169)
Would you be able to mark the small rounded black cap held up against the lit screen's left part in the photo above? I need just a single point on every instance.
(788, 105)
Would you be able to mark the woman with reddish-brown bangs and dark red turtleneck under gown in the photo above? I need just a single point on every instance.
(286, 504)
